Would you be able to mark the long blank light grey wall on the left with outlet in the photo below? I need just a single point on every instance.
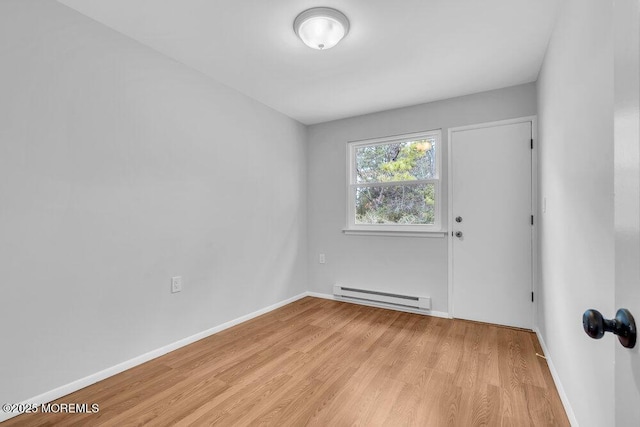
(120, 168)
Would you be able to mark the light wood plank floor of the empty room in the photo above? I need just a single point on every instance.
(327, 363)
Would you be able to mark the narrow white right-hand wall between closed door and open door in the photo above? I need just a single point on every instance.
(575, 108)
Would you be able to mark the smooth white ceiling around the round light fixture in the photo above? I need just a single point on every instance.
(397, 53)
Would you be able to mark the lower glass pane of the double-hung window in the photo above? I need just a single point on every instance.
(401, 204)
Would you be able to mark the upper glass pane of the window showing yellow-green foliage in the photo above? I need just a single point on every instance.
(398, 161)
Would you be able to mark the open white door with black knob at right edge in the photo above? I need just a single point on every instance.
(627, 203)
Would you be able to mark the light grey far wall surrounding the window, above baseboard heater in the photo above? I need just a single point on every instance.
(402, 264)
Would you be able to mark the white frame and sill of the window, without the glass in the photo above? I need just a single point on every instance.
(394, 229)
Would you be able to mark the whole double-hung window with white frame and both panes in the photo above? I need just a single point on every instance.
(394, 184)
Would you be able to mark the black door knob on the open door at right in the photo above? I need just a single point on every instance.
(623, 325)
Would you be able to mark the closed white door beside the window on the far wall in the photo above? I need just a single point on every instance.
(490, 219)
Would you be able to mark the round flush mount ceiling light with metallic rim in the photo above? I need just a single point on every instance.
(321, 27)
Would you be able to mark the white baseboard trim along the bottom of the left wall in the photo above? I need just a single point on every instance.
(120, 367)
